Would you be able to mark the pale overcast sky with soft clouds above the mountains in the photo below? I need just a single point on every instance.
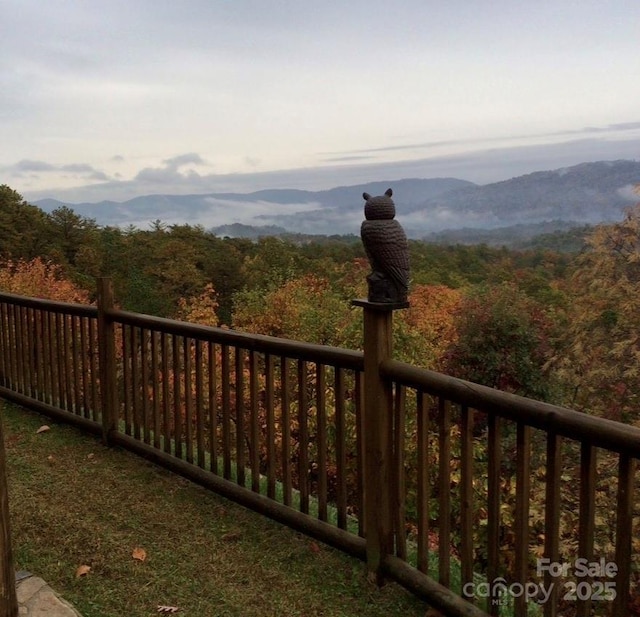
(109, 99)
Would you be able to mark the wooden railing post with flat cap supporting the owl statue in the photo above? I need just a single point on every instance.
(378, 422)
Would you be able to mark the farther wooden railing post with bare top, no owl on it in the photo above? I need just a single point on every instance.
(107, 355)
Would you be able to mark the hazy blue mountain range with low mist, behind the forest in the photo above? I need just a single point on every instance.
(582, 194)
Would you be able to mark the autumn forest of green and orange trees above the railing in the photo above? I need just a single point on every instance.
(543, 322)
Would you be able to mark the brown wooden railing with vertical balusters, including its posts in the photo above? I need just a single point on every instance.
(472, 498)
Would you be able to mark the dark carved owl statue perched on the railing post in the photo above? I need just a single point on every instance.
(385, 244)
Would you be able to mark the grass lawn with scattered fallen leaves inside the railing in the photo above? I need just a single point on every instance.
(76, 503)
